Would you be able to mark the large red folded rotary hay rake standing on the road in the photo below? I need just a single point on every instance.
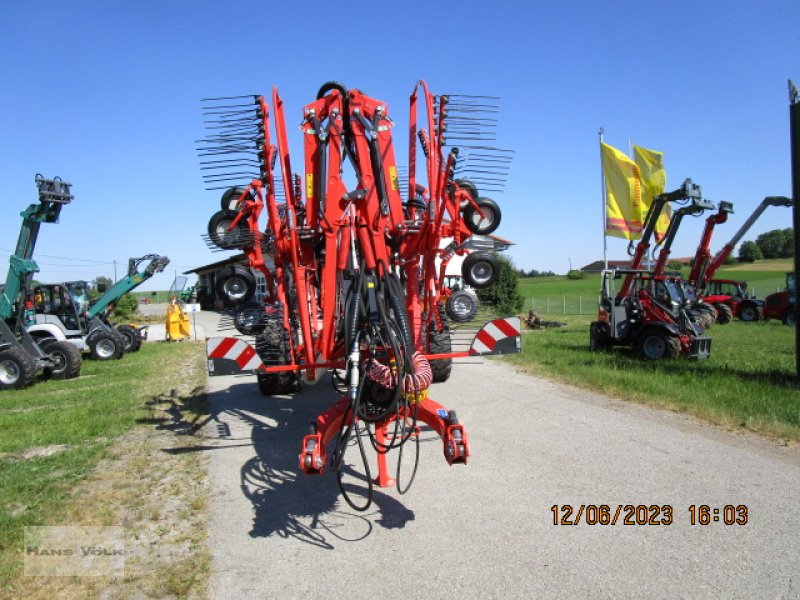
(354, 274)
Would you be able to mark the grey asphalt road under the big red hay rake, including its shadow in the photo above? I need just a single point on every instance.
(486, 530)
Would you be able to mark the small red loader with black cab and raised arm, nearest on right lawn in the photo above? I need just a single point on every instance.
(649, 311)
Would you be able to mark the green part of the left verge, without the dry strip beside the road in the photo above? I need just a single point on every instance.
(85, 414)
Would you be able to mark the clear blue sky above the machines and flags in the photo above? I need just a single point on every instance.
(106, 95)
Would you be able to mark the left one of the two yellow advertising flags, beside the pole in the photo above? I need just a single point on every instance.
(623, 194)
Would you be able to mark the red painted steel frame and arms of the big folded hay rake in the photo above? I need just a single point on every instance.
(389, 236)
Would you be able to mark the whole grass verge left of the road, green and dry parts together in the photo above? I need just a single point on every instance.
(92, 451)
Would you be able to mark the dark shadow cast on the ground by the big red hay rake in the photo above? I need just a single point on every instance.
(285, 501)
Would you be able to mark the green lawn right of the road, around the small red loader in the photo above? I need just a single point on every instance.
(747, 382)
